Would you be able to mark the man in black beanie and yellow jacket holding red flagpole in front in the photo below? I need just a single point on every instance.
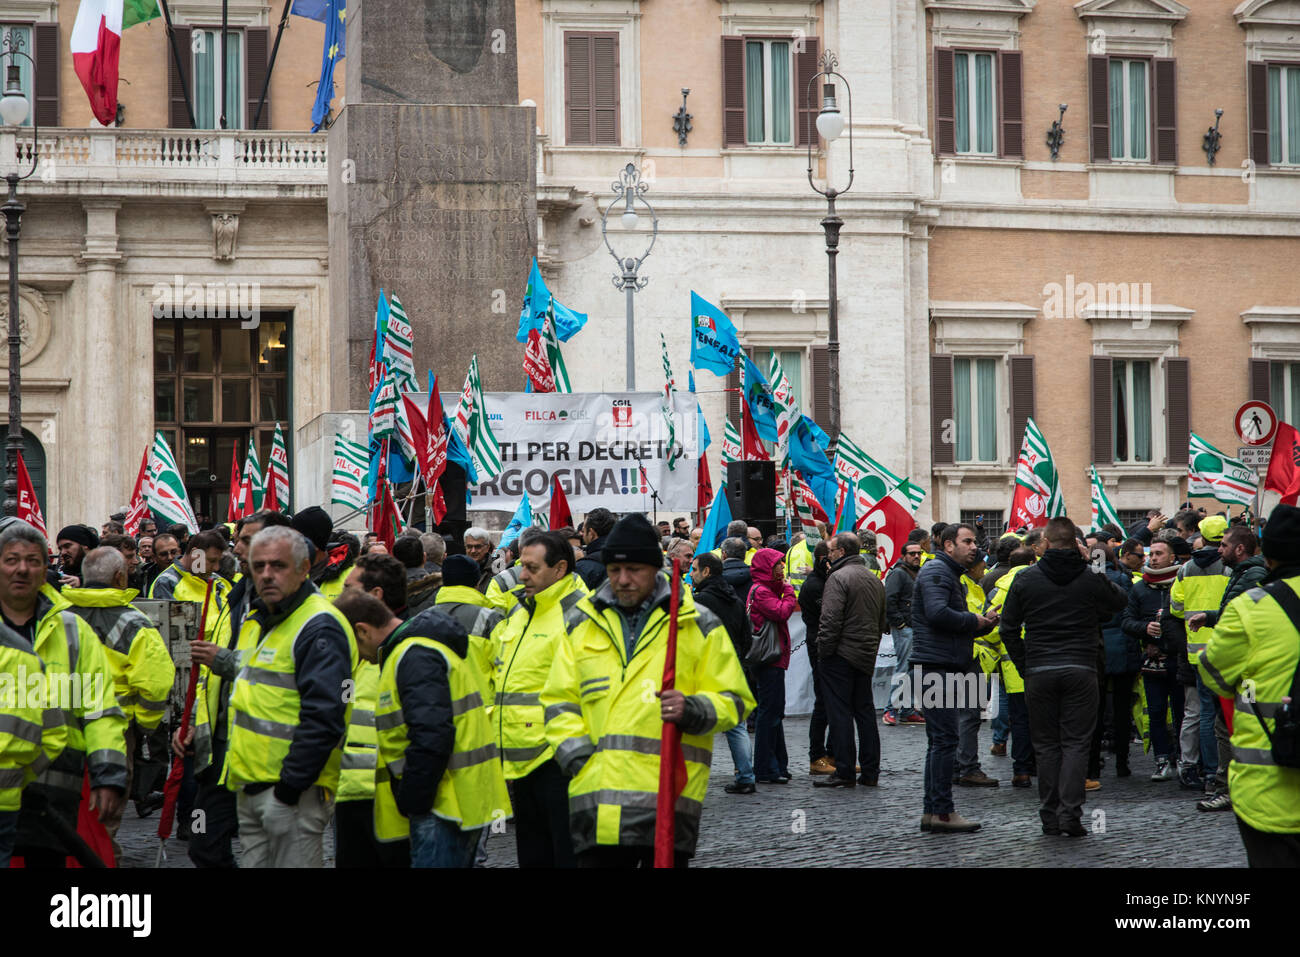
(616, 652)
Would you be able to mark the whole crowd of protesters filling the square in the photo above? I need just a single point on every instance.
(413, 696)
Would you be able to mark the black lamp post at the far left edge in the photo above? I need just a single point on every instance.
(14, 111)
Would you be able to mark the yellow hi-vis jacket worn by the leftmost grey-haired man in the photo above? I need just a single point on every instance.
(81, 683)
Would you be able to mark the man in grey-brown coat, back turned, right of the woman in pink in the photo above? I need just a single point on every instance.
(853, 618)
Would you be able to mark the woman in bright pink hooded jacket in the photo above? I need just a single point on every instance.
(772, 600)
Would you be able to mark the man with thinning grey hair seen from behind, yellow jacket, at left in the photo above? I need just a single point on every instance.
(137, 656)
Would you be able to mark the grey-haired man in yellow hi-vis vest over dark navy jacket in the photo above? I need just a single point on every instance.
(289, 708)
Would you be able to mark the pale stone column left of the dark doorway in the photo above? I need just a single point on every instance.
(101, 384)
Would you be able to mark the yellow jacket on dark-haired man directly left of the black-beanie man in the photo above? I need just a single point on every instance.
(526, 648)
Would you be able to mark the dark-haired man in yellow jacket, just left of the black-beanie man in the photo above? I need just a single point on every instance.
(526, 648)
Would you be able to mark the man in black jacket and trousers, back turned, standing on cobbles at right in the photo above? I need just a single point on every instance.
(1061, 607)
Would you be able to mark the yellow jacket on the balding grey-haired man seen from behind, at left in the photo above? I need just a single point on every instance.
(142, 668)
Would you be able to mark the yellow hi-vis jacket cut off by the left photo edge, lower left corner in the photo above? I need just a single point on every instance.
(33, 730)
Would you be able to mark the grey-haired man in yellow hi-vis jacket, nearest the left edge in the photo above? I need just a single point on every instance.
(42, 621)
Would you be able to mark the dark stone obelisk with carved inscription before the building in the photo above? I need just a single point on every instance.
(432, 190)
